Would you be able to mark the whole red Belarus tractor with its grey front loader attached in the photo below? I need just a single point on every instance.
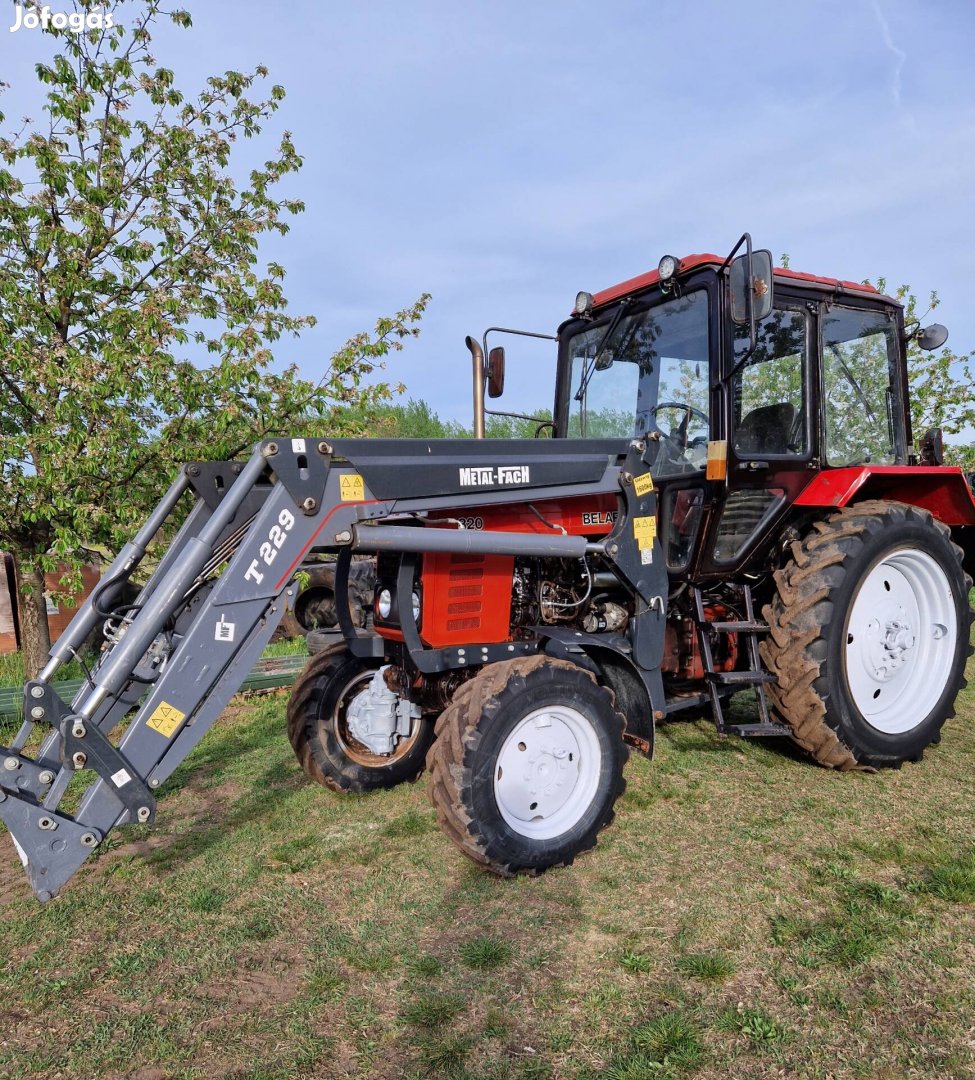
(733, 502)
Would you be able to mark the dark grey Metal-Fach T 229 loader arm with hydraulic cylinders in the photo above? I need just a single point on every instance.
(211, 606)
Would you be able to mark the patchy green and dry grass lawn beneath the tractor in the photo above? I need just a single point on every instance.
(748, 915)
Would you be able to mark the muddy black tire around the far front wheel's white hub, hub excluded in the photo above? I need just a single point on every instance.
(323, 745)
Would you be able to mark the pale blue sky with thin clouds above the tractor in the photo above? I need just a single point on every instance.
(504, 156)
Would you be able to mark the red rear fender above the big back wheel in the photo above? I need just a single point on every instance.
(939, 489)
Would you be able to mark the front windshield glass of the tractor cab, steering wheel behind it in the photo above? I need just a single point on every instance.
(649, 374)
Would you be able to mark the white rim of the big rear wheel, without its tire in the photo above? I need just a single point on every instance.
(901, 639)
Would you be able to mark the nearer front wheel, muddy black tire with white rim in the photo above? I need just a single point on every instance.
(551, 715)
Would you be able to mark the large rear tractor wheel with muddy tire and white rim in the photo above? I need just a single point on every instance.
(871, 629)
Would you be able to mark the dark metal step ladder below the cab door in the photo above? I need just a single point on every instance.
(748, 630)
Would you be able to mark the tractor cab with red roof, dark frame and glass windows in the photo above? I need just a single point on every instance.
(748, 383)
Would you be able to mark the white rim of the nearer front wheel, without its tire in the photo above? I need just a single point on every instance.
(548, 773)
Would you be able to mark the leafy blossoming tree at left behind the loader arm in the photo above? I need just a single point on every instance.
(129, 254)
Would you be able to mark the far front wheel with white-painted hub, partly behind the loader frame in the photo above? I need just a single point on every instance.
(346, 740)
